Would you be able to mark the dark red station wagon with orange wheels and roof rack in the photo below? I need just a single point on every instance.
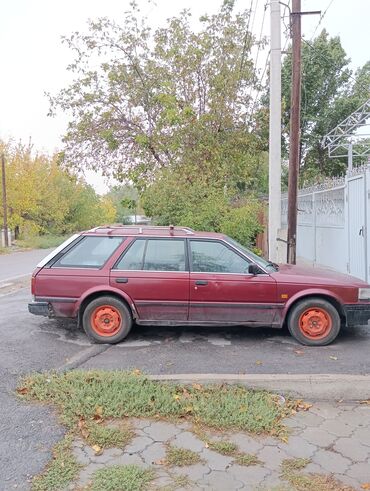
(109, 277)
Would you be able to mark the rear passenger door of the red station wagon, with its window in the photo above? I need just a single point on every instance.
(154, 273)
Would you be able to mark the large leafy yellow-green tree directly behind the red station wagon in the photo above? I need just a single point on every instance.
(168, 111)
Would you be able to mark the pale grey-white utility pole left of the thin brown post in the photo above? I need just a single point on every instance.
(275, 131)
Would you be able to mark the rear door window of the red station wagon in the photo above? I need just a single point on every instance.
(154, 255)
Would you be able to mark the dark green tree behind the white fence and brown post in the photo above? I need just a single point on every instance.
(330, 93)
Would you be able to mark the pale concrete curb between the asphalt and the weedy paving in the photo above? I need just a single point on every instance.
(310, 386)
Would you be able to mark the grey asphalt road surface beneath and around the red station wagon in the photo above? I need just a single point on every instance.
(31, 343)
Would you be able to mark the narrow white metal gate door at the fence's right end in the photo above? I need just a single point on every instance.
(356, 226)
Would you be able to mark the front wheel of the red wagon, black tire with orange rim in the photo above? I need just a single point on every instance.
(314, 322)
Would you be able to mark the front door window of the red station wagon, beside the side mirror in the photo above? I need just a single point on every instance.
(215, 257)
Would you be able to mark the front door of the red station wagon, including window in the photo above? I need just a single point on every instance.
(222, 290)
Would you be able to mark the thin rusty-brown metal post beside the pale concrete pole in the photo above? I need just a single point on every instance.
(295, 116)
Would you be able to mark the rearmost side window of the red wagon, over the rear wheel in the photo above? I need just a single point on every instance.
(90, 252)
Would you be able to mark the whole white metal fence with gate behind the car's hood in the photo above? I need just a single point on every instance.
(333, 223)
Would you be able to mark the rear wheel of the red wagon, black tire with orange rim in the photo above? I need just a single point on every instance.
(116, 315)
